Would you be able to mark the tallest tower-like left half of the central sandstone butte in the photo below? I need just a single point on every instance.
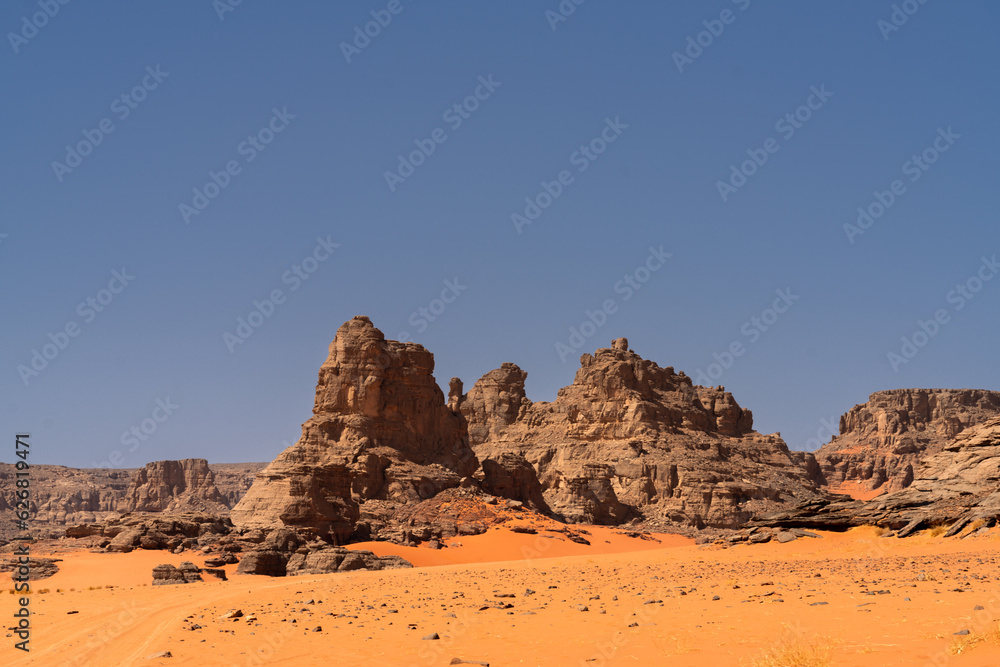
(381, 437)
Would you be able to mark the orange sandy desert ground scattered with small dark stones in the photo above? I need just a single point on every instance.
(508, 598)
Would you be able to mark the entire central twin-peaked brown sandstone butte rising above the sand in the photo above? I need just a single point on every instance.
(386, 456)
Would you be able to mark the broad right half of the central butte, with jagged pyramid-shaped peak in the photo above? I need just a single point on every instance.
(629, 439)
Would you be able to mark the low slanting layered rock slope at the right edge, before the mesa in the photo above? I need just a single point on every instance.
(957, 487)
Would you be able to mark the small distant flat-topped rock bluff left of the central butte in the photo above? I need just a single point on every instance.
(169, 486)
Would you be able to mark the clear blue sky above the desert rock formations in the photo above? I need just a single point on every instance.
(609, 68)
